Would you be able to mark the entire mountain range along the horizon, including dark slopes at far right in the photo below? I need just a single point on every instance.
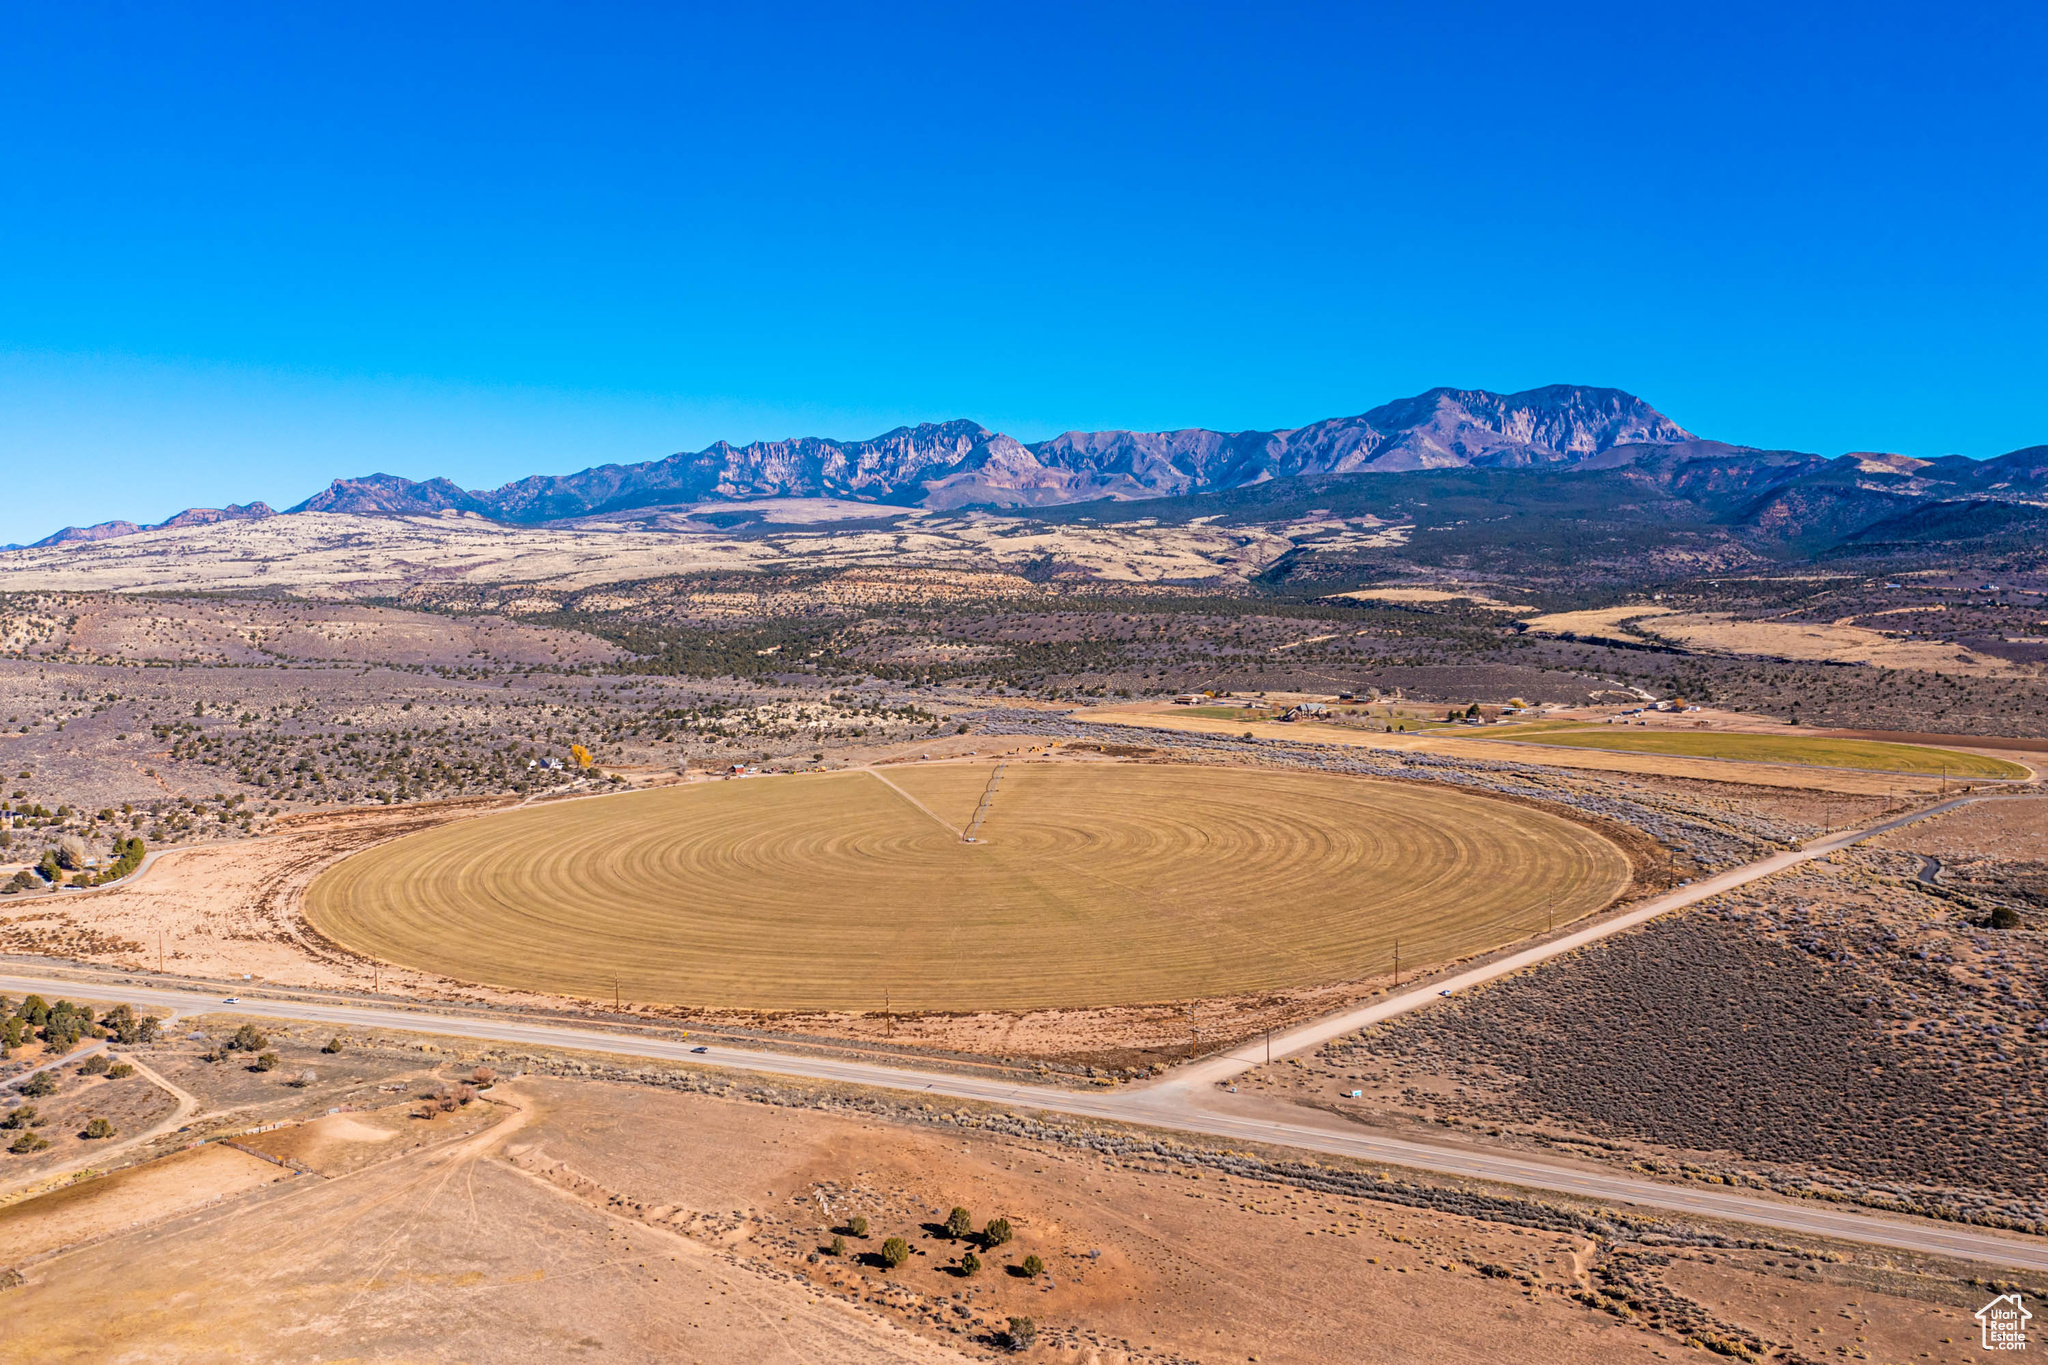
(945, 466)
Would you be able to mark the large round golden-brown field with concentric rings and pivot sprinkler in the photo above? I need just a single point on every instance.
(1089, 885)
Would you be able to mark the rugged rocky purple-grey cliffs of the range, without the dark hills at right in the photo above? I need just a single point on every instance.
(964, 464)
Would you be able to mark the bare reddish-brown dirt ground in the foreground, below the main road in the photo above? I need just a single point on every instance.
(689, 1217)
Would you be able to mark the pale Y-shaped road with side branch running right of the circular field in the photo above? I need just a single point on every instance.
(1191, 1100)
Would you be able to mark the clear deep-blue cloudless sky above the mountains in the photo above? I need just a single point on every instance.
(251, 249)
